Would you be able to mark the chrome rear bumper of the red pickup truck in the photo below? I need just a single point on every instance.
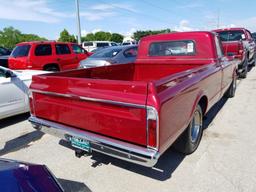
(115, 148)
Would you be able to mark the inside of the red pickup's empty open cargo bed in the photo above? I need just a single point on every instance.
(134, 72)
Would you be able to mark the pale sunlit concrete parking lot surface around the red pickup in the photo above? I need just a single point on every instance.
(224, 161)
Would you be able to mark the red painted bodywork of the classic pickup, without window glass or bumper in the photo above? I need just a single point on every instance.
(173, 85)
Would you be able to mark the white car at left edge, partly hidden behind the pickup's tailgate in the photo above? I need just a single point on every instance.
(14, 87)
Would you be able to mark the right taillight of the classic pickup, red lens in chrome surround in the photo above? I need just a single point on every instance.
(152, 127)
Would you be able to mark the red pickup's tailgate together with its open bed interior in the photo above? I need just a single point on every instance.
(102, 100)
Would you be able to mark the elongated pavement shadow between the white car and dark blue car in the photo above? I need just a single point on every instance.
(21, 142)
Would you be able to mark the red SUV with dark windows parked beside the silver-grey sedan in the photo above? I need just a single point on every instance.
(47, 55)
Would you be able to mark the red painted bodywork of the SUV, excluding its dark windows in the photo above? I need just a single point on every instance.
(64, 61)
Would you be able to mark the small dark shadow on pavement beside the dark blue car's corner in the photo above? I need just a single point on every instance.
(73, 186)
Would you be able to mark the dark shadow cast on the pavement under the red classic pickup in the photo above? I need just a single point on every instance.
(167, 163)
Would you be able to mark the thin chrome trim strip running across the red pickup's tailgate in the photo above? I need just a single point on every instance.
(90, 99)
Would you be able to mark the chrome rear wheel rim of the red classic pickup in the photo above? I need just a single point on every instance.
(196, 126)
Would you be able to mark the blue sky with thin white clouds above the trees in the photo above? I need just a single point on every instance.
(47, 18)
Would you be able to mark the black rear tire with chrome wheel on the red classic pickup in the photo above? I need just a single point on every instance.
(188, 142)
